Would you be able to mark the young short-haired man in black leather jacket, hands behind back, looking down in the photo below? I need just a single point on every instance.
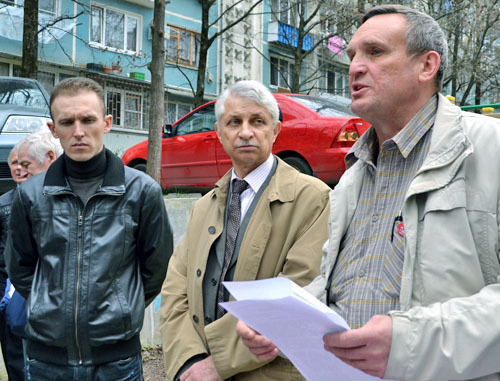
(89, 244)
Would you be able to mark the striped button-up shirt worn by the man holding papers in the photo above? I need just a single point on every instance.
(367, 276)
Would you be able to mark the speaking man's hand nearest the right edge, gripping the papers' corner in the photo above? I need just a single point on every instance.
(366, 348)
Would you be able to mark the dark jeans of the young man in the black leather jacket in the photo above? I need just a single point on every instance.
(122, 370)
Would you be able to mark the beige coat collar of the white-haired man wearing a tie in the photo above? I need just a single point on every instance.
(281, 187)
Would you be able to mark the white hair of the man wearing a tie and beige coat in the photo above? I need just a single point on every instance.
(251, 90)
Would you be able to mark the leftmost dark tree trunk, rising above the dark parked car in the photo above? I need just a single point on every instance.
(29, 63)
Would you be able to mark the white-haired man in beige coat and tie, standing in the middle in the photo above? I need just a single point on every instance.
(283, 224)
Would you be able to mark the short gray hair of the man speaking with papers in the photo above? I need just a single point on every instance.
(424, 34)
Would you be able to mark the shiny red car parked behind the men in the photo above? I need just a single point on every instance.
(315, 137)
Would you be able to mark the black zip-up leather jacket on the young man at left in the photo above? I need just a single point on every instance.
(88, 271)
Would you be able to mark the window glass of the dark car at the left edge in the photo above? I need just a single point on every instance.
(20, 93)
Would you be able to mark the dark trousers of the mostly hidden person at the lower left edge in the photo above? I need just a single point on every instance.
(12, 351)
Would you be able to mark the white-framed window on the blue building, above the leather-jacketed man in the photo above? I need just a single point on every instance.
(101, 44)
